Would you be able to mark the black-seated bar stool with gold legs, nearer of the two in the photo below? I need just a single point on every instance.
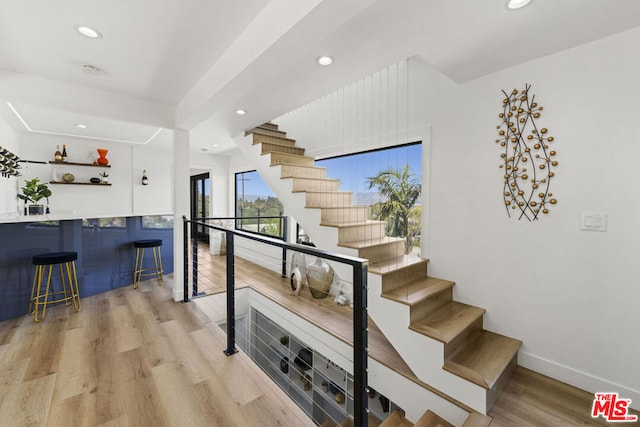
(66, 261)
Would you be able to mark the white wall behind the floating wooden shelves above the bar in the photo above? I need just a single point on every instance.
(126, 195)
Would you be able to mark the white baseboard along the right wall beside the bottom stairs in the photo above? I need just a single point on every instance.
(576, 378)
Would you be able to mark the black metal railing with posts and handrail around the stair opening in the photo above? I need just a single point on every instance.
(360, 318)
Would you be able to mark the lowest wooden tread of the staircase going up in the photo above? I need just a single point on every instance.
(483, 360)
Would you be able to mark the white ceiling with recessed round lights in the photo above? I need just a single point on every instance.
(191, 63)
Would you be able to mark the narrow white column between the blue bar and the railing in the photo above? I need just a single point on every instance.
(180, 205)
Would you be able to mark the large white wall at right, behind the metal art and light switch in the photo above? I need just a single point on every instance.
(570, 295)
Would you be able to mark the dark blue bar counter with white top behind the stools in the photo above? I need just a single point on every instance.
(106, 255)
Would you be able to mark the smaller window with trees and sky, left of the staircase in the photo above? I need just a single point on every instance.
(256, 202)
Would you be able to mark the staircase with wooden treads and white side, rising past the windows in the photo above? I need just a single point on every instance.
(442, 340)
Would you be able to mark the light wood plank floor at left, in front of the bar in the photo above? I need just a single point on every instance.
(132, 358)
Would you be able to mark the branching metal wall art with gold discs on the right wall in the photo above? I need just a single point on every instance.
(528, 161)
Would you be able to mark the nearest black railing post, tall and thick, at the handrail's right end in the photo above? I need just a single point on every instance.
(360, 346)
